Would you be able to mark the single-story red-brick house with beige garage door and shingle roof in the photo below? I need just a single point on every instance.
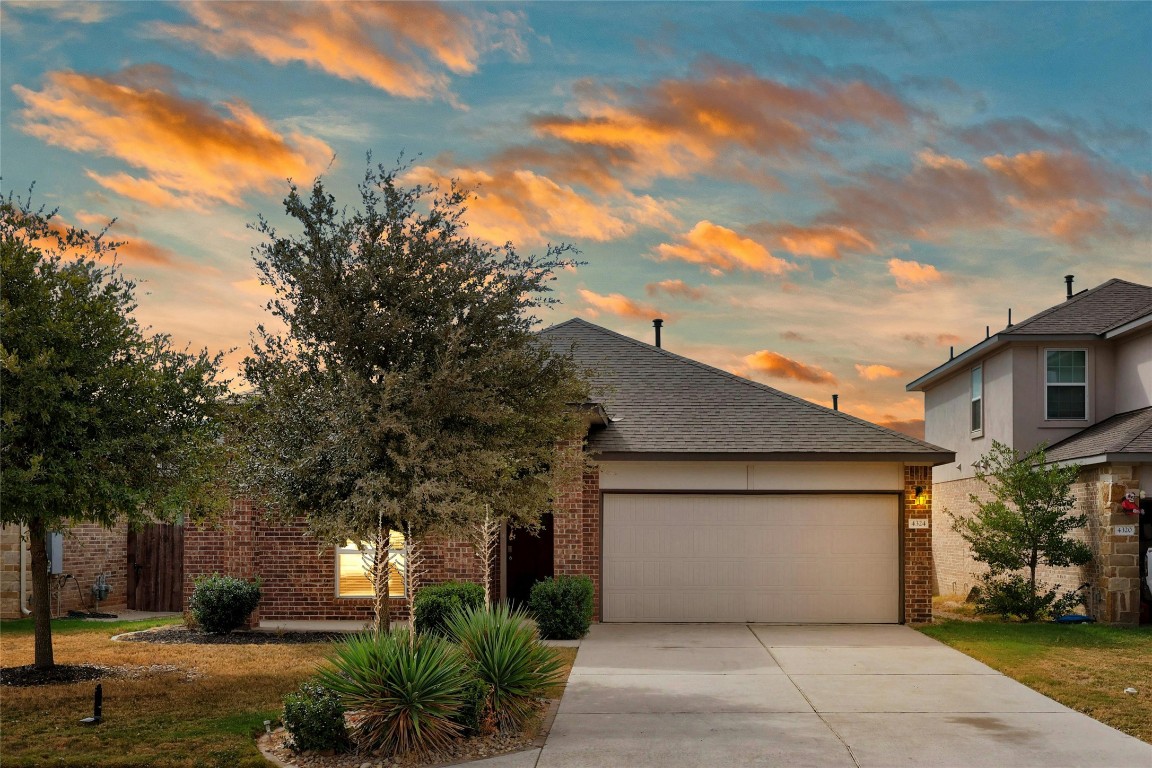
(714, 499)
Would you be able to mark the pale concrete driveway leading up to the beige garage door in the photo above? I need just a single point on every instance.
(723, 696)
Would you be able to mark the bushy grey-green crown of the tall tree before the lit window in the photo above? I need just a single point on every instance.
(404, 383)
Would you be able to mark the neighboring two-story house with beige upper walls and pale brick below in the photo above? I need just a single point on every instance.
(1077, 377)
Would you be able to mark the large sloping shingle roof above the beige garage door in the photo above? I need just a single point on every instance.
(664, 404)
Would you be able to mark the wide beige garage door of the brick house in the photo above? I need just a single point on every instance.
(791, 559)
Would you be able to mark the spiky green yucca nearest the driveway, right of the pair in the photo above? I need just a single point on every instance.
(504, 651)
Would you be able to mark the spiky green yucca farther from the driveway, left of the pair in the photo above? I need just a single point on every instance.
(406, 693)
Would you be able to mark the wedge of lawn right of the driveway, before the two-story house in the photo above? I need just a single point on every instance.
(1086, 667)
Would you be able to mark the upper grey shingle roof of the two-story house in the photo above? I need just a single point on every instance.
(1096, 311)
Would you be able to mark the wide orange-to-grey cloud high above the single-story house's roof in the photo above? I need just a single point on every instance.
(680, 127)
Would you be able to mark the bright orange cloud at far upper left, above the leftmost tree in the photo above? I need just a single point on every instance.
(192, 155)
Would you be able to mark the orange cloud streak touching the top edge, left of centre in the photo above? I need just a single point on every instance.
(398, 48)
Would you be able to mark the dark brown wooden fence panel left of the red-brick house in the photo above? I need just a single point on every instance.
(156, 568)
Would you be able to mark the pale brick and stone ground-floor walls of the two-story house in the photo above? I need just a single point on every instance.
(1113, 576)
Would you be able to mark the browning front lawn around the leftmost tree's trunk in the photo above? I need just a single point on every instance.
(201, 710)
